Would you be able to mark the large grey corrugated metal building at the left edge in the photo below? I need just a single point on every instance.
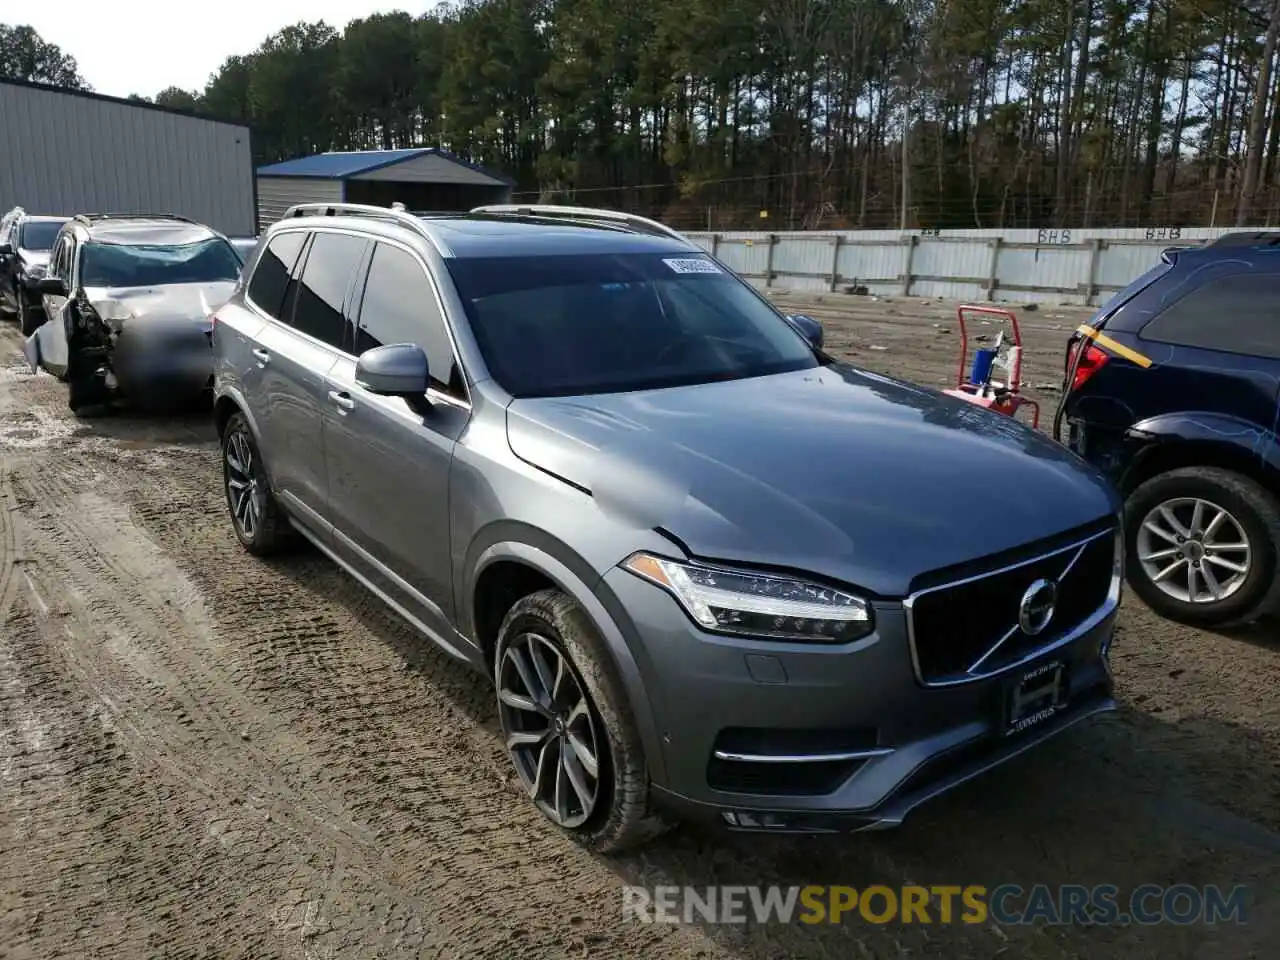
(66, 153)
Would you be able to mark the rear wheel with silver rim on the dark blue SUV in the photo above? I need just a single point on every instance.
(1252, 518)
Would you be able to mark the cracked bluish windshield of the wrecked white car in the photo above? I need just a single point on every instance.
(154, 266)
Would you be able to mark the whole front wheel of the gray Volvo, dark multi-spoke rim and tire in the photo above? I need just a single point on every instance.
(568, 728)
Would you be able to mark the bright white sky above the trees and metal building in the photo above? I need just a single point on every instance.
(143, 47)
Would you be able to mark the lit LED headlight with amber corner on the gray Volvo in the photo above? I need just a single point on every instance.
(756, 605)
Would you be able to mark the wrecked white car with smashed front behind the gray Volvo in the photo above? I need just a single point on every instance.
(130, 301)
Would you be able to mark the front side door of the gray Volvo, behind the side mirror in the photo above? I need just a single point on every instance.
(390, 459)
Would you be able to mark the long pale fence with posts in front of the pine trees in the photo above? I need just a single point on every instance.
(1050, 267)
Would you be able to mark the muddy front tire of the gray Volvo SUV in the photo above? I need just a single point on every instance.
(620, 817)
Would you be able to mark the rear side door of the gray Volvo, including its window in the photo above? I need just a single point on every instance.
(294, 355)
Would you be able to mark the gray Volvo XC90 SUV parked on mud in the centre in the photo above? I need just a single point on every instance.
(710, 570)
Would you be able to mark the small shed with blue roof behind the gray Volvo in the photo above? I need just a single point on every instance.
(426, 179)
